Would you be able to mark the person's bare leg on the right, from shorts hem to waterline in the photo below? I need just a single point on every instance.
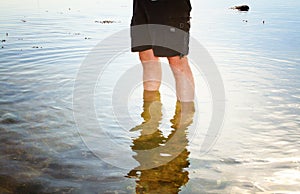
(185, 86)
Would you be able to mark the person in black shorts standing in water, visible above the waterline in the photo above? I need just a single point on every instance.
(170, 40)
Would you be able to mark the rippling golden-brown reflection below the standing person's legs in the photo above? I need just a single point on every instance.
(164, 169)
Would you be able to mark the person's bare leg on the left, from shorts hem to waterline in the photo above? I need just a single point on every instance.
(151, 70)
